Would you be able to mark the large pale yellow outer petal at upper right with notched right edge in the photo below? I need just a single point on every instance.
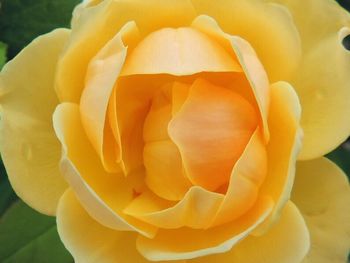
(322, 81)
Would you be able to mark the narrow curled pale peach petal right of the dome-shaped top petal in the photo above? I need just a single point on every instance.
(252, 67)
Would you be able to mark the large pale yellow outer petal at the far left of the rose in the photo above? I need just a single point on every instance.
(29, 147)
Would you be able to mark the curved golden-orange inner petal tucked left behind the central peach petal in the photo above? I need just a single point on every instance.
(162, 159)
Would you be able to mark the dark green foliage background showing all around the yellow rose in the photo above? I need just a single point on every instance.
(25, 235)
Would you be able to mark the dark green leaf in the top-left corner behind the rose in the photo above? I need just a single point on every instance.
(23, 20)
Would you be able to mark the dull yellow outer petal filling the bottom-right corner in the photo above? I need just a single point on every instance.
(322, 193)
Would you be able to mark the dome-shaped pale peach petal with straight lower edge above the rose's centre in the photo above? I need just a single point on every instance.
(181, 51)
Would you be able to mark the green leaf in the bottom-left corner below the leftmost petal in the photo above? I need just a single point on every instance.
(27, 236)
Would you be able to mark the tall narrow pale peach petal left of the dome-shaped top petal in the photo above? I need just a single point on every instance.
(101, 77)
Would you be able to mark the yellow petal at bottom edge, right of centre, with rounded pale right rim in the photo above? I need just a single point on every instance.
(286, 242)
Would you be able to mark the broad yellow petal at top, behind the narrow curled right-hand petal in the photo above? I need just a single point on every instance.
(269, 28)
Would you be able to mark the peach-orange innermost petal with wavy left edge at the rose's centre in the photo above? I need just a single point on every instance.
(211, 131)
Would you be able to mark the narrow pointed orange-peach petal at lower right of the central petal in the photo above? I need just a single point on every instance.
(246, 178)
